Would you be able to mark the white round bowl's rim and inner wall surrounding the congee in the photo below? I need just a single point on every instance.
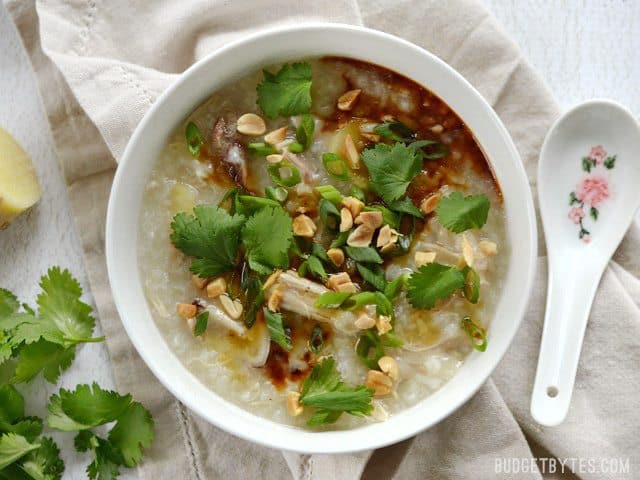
(243, 57)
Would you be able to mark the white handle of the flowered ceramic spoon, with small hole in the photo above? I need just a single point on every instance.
(572, 287)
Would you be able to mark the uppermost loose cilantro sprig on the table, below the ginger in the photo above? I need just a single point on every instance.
(45, 341)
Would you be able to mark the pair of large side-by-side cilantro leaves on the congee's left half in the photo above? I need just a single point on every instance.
(213, 236)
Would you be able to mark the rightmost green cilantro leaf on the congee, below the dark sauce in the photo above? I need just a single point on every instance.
(458, 213)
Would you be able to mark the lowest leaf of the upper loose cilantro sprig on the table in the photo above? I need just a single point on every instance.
(43, 356)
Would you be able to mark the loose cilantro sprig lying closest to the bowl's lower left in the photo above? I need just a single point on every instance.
(88, 407)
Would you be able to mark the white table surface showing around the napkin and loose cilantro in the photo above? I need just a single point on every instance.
(582, 48)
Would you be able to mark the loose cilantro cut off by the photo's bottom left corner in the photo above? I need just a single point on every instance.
(23, 452)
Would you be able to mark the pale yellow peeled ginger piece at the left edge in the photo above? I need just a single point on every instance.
(19, 187)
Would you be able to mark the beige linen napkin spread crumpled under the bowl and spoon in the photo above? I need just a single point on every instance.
(111, 59)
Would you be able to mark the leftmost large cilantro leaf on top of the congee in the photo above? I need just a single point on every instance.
(212, 236)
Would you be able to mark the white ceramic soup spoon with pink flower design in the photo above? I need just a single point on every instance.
(589, 190)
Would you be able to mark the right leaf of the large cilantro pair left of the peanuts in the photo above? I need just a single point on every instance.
(267, 237)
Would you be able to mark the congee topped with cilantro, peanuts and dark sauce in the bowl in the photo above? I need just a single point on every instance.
(322, 242)
